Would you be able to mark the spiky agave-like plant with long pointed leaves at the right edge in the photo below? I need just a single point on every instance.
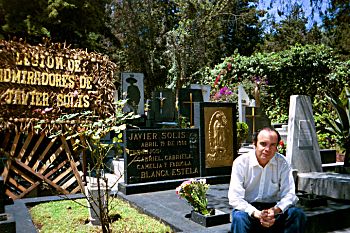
(341, 126)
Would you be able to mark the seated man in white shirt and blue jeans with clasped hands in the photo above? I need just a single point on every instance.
(262, 189)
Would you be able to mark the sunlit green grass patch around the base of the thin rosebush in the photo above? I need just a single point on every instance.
(70, 216)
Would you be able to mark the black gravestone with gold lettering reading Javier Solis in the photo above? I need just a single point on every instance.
(156, 155)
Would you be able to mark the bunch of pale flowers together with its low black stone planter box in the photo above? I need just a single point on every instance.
(195, 191)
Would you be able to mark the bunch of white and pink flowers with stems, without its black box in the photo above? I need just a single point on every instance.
(195, 193)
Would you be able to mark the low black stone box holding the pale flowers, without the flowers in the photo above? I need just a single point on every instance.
(217, 218)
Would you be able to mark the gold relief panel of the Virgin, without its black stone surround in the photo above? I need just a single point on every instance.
(219, 151)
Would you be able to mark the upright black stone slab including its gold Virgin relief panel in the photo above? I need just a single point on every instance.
(218, 137)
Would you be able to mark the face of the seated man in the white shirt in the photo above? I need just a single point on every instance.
(266, 146)
